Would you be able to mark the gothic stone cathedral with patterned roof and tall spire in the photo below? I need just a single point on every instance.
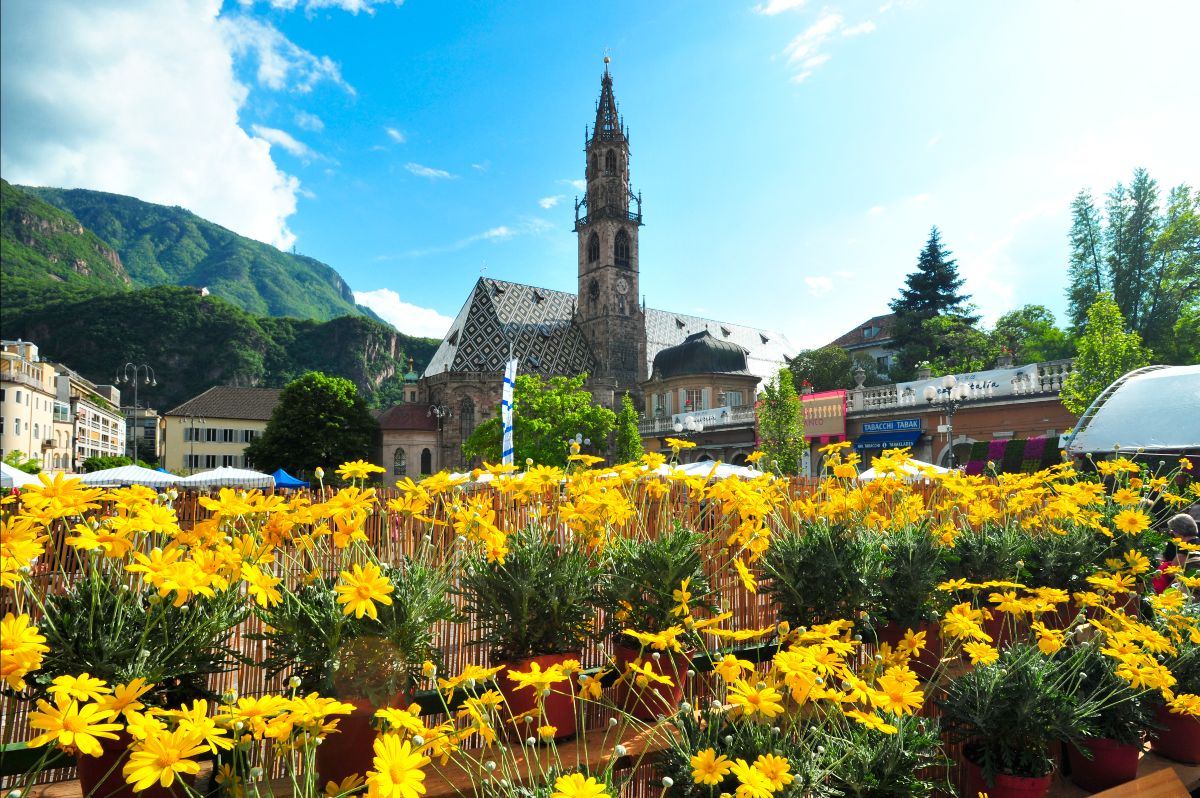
(602, 329)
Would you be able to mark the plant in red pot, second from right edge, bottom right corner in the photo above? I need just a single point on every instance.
(1111, 755)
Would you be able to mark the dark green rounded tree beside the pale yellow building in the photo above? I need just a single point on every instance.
(320, 423)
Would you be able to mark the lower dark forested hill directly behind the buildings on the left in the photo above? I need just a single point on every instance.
(195, 343)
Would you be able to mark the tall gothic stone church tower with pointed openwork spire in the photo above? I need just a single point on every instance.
(607, 221)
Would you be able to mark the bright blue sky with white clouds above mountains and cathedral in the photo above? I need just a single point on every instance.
(791, 155)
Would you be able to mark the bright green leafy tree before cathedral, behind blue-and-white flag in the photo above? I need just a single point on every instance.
(547, 417)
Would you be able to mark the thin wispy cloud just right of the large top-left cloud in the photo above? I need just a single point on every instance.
(281, 64)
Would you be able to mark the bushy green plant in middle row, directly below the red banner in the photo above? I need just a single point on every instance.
(824, 573)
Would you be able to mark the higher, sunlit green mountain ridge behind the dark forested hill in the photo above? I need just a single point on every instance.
(161, 245)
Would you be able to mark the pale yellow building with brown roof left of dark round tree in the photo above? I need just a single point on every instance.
(213, 430)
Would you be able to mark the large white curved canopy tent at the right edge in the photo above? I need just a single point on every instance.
(1154, 411)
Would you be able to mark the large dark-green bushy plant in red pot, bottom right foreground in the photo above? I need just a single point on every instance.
(1009, 713)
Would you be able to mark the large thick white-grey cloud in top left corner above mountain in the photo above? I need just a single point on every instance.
(136, 98)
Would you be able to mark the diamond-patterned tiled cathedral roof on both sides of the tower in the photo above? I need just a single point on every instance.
(541, 323)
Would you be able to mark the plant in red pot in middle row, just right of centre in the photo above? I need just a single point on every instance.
(656, 585)
